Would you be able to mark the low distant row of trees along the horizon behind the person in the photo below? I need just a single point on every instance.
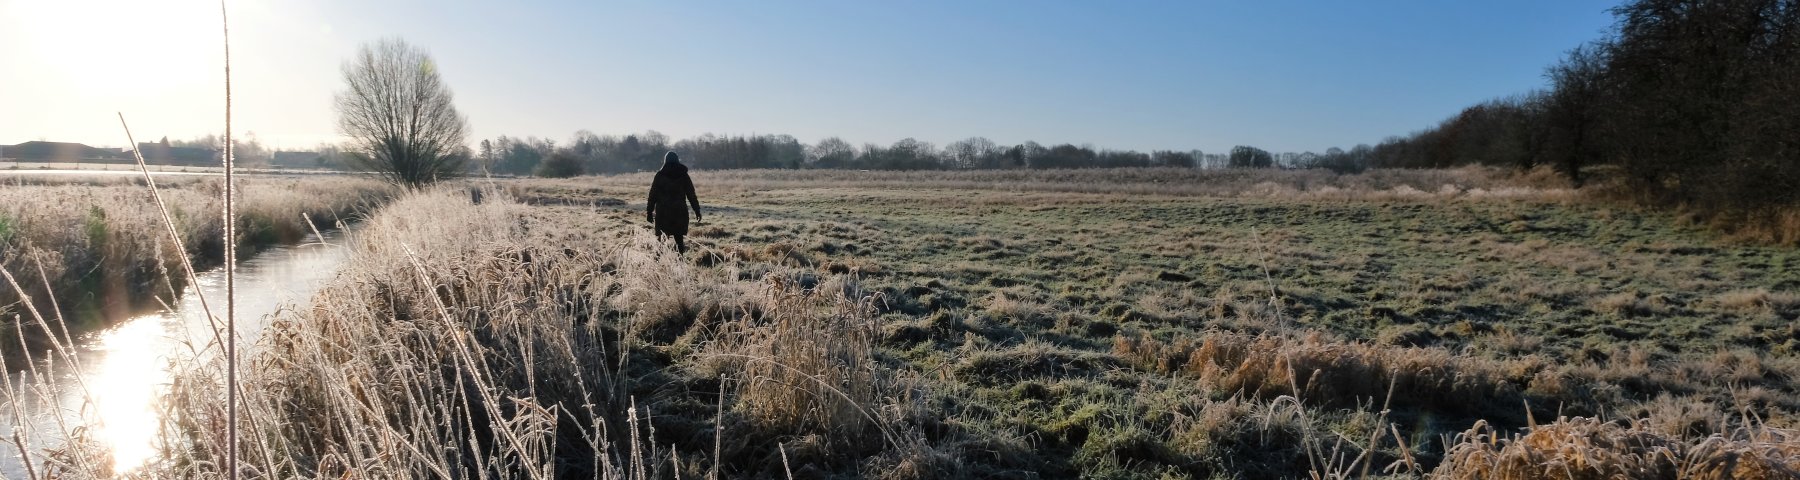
(589, 154)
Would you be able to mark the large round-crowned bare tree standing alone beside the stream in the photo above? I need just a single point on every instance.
(399, 118)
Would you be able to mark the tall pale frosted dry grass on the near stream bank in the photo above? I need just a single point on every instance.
(456, 344)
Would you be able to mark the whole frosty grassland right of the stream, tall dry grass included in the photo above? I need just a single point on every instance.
(1461, 324)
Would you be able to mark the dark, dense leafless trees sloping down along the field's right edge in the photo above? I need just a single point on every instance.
(1684, 103)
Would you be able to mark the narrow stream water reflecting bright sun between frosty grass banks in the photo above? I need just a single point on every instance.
(125, 369)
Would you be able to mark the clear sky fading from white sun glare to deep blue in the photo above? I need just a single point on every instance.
(1279, 75)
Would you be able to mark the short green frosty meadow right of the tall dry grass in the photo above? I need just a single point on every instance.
(1047, 308)
